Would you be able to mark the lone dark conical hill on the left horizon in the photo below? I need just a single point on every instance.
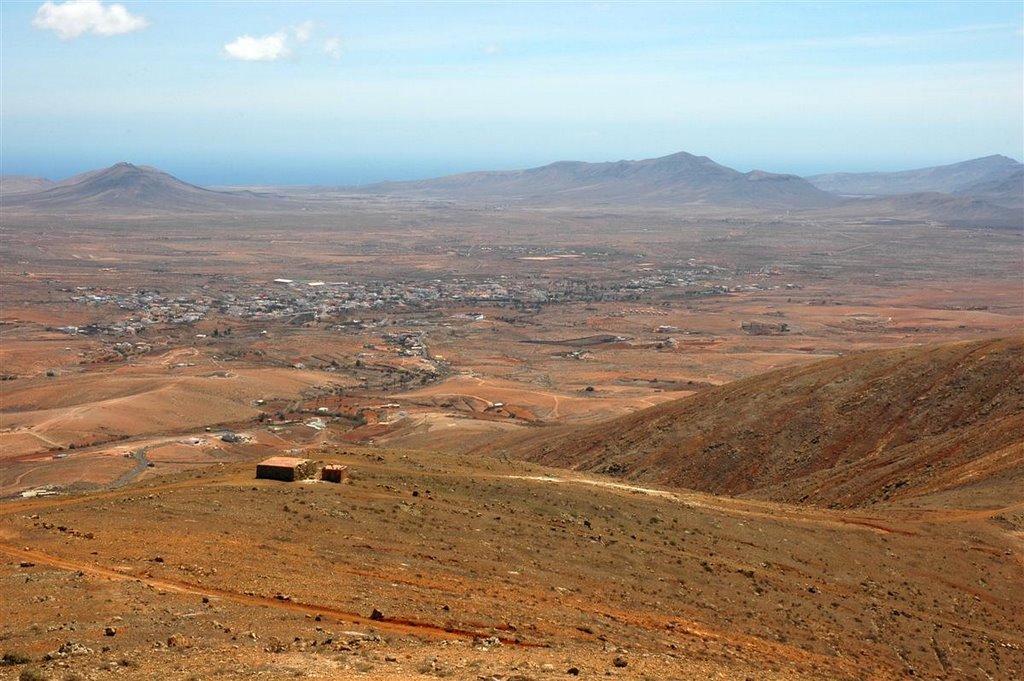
(123, 189)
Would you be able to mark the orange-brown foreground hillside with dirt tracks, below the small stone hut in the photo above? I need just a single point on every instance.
(431, 566)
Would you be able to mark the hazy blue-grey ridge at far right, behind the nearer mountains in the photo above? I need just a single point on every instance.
(990, 176)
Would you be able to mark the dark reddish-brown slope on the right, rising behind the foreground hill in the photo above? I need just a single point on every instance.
(843, 433)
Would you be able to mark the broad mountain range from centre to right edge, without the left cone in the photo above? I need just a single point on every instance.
(985, 192)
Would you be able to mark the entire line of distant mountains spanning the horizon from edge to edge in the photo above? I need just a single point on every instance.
(986, 192)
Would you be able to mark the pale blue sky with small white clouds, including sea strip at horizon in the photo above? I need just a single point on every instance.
(343, 94)
